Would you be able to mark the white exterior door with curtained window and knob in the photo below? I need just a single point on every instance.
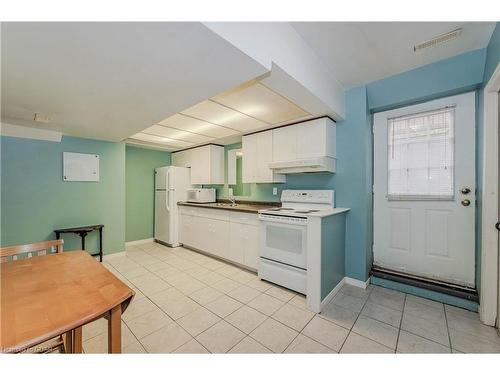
(424, 189)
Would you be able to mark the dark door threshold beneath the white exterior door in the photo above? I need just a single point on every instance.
(424, 283)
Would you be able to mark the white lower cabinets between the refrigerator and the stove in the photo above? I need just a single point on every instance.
(231, 236)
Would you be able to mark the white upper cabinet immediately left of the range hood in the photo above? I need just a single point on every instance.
(257, 154)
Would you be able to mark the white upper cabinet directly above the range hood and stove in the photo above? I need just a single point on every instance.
(310, 139)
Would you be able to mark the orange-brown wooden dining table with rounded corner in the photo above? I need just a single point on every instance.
(47, 296)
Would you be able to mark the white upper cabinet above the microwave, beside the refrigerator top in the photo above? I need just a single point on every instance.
(206, 163)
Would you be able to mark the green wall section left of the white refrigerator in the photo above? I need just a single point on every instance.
(139, 186)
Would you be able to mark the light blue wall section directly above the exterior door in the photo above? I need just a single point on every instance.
(447, 77)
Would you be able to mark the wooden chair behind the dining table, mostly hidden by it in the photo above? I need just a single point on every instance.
(71, 342)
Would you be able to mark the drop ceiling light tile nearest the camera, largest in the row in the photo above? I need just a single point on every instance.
(258, 101)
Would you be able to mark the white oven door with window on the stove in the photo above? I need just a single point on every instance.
(283, 241)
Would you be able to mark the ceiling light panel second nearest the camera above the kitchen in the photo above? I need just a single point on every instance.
(221, 115)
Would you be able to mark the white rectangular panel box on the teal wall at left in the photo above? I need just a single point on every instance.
(80, 167)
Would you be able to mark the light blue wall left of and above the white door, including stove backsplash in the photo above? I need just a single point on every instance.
(353, 179)
